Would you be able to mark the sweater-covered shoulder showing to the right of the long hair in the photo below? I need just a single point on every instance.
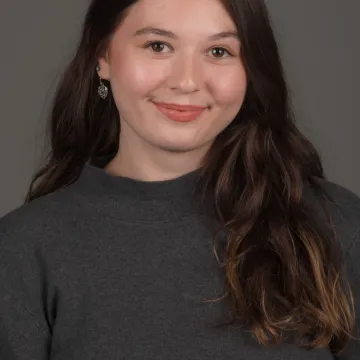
(343, 206)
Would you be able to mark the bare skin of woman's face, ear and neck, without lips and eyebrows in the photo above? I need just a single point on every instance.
(191, 69)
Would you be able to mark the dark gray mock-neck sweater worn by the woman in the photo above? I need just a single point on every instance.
(114, 268)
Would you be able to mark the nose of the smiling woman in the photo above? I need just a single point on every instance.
(185, 75)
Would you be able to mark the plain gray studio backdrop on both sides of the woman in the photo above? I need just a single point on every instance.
(318, 41)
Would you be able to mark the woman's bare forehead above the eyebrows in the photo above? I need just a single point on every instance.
(196, 17)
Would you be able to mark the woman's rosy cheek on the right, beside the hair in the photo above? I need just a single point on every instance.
(228, 87)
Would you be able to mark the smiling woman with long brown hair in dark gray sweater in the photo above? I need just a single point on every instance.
(171, 128)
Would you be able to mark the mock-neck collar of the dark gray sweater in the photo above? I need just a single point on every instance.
(135, 200)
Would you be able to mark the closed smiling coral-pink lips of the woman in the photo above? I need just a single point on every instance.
(180, 113)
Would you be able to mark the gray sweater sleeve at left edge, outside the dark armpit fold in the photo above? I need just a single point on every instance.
(24, 329)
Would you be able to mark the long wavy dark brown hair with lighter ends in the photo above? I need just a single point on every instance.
(282, 266)
